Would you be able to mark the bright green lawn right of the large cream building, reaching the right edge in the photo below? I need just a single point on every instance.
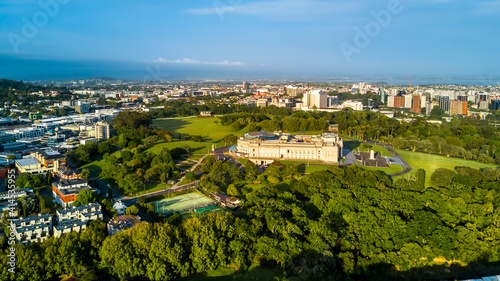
(430, 163)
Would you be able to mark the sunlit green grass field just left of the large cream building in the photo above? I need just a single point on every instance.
(211, 132)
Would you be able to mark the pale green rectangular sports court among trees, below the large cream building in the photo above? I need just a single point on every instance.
(181, 203)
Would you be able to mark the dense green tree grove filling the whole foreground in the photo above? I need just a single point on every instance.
(332, 225)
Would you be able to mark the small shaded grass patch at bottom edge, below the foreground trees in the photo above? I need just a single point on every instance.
(254, 273)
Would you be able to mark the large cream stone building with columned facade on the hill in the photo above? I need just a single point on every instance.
(265, 147)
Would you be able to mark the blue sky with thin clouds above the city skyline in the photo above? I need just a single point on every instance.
(231, 39)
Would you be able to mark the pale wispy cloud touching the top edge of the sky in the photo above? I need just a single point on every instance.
(290, 10)
